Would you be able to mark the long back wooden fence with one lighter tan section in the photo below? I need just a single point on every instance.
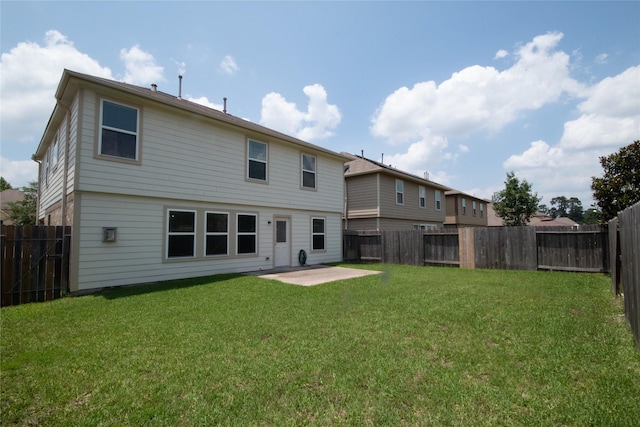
(583, 249)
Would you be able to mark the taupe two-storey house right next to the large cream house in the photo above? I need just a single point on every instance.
(379, 197)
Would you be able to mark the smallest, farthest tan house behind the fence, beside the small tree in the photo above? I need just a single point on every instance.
(464, 210)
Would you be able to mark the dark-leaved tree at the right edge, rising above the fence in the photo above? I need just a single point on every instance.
(619, 187)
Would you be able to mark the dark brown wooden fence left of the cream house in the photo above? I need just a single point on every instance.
(35, 263)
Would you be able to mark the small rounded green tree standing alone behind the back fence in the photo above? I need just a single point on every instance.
(516, 204)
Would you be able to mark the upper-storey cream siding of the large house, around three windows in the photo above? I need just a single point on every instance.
(188, 158)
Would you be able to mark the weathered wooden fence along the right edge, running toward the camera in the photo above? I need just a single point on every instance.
(625, 273)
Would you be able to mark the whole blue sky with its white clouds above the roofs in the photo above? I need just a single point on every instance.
(467, 91)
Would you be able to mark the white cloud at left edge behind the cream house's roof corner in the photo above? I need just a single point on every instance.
(29, 76)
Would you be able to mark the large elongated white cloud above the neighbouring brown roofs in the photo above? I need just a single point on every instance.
(474, 99)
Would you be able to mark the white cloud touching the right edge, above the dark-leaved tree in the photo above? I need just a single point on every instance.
(610, 120)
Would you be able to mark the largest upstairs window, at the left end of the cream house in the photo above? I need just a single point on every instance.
(119, 130)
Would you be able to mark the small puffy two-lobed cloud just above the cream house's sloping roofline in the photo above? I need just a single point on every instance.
(318, 122)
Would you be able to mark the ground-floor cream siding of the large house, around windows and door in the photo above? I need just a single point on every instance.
(138, 255)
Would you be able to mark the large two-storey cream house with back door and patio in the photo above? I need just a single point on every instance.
(160, 188)
